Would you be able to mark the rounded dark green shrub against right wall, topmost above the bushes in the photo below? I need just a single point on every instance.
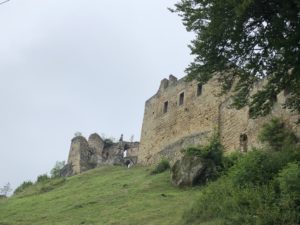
(276, 135)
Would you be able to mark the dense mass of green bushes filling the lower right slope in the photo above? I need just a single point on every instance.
(261, 187)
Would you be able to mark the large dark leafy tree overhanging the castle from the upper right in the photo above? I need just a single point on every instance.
(246, 40)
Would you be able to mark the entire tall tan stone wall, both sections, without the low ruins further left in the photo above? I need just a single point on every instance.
(183, 113)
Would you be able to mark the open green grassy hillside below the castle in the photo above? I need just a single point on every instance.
(107, 195)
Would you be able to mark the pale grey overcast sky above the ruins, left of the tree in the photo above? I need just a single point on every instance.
(74, 65)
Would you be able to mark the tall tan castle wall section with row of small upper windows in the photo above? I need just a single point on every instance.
(196, 113)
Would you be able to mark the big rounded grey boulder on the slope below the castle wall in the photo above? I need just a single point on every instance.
(188, 171)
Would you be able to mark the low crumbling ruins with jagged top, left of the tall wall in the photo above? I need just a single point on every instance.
(88, 154)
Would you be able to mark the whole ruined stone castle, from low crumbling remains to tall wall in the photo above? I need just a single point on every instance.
(179, 115)
